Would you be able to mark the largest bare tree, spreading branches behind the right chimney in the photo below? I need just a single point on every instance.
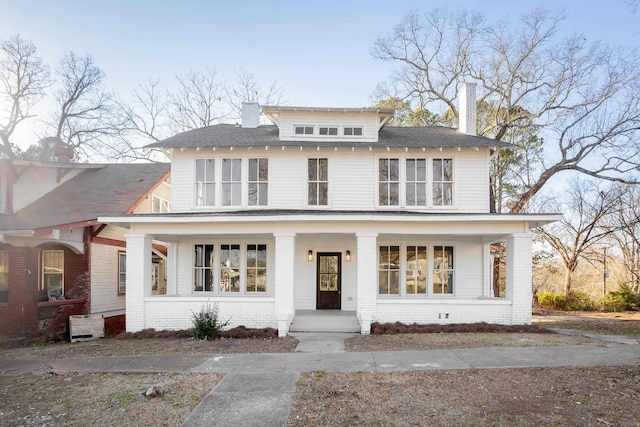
(584, 98)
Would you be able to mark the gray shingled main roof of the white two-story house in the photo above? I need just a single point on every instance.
(225, 135)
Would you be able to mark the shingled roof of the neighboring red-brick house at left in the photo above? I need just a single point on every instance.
(110, 190)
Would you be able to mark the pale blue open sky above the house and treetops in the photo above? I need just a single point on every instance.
(317, 51)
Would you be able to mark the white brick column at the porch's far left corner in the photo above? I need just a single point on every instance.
(138, 279)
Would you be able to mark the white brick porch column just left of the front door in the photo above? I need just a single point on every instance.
(284, 279)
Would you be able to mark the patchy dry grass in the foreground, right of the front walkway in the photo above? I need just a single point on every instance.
(594, 396)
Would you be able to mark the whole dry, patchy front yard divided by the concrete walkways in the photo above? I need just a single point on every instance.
(547, 396)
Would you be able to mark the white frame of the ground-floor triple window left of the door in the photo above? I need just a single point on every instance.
(216, 268)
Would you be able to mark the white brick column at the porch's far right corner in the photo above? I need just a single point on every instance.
(519, 277)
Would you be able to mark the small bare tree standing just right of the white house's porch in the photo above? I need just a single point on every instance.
(586, 208)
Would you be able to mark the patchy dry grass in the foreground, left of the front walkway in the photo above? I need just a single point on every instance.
(82, 399)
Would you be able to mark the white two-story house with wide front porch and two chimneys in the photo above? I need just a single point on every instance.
(329, 209)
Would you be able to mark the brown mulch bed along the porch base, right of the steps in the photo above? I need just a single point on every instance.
(401, 328)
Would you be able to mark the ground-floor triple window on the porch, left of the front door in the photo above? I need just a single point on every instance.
(230, 268)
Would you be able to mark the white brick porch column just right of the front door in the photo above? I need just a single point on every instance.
(367, 273)
